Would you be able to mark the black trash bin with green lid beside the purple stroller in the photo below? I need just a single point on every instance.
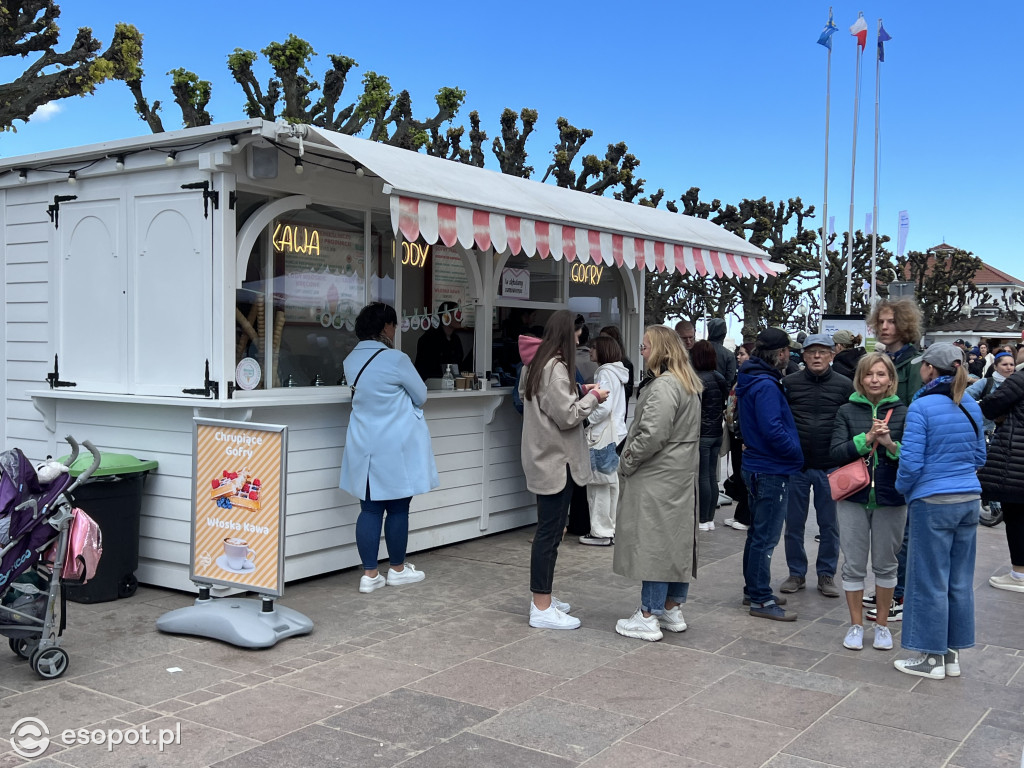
(113, 497)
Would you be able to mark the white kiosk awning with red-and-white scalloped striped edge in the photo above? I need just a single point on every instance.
(440, 201)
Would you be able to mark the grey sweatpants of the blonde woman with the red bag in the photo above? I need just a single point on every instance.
(879, 530)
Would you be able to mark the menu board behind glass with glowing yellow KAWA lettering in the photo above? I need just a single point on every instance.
(323, 273)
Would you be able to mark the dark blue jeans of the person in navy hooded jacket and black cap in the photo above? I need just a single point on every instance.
(769, 497)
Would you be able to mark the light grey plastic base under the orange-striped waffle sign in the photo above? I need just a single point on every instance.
(236, 621)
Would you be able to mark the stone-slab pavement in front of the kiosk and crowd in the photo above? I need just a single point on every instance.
(448, 673)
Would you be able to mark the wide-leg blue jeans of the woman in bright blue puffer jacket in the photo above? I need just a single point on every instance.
(938, 608)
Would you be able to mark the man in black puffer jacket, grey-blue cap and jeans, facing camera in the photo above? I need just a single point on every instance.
(815, 396)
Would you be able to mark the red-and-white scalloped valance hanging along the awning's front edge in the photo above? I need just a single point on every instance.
(439, 223)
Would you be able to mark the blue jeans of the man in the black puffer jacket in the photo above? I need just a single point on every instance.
(796, 519)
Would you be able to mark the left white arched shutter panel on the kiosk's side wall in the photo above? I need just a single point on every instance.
(93, 282)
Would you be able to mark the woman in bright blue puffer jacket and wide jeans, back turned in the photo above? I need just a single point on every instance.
(944, 449)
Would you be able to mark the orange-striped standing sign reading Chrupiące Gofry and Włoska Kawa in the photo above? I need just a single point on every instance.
(239, 473)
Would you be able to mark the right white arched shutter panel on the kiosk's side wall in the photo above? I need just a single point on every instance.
(173, 294)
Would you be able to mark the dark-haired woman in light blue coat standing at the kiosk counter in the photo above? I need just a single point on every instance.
(389, 458)
